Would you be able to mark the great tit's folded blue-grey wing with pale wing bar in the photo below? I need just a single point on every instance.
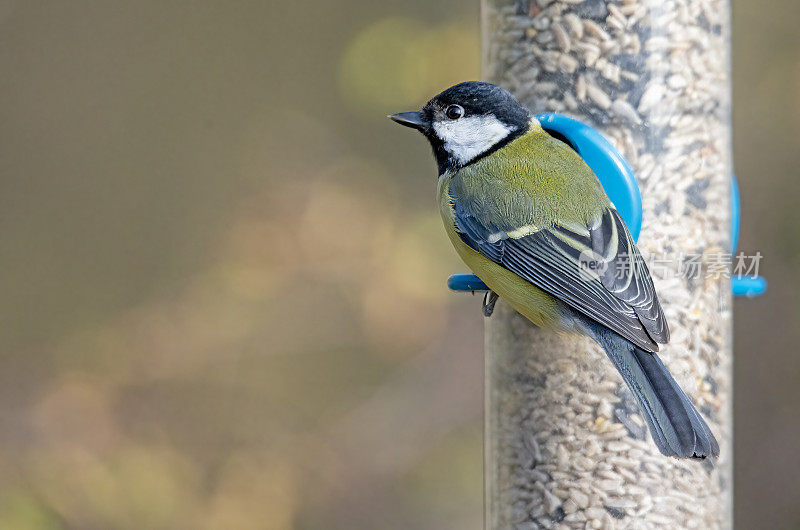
(597, 270)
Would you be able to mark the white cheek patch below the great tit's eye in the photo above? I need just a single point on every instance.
(468, 137)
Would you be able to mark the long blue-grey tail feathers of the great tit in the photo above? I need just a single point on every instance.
(676, 426)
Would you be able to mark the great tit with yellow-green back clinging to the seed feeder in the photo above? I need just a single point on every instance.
(532, 220)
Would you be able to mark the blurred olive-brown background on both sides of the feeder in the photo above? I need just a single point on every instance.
(223, 300)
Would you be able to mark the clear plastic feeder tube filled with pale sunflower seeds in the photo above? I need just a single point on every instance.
(565, 444)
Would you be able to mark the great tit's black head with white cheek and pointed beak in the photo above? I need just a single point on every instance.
(467, 122)
